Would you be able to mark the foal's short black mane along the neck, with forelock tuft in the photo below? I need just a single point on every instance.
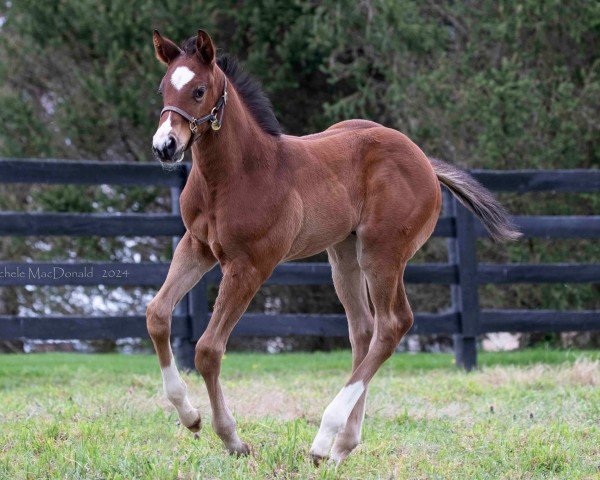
(249, 89)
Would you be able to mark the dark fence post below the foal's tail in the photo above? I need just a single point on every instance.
(465, 298)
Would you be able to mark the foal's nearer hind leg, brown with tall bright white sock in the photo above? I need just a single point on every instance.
(393, 318)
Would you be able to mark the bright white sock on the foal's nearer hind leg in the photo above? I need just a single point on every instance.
(335, 417)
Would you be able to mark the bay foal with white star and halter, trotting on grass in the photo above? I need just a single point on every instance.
(256, 197)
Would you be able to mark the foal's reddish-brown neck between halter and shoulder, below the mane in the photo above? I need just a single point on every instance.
(239, 148)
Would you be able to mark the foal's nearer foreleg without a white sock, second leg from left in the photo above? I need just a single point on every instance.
(241, 280)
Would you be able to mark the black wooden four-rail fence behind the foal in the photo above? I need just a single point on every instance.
(465, 320)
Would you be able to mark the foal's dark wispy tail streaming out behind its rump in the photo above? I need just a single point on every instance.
(478, 200)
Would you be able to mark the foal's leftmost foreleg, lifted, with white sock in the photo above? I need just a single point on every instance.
(190, 261)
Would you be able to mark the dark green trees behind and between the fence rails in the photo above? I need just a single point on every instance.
(480, 83)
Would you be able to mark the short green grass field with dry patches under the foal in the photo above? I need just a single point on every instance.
(530, 414)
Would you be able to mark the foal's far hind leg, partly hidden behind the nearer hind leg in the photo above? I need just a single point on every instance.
(351, 287)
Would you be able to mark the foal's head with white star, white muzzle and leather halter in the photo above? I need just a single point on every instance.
(191, 88)
